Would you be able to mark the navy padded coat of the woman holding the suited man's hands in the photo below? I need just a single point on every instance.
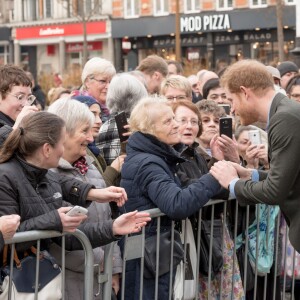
(150, 180)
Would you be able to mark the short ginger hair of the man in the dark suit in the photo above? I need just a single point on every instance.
(248, 73)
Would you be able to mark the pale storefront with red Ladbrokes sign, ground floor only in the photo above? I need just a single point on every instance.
(56, 48)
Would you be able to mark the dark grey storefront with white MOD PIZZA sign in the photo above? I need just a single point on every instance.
(208, 40)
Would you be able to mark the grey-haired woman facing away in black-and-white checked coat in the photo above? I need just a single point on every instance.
(123, 94)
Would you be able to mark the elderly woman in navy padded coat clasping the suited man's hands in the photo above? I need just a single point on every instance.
(150, 180)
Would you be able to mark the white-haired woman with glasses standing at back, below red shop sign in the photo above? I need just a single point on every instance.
(95, 77)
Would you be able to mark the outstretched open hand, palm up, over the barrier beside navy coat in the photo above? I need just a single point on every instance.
(131, 222)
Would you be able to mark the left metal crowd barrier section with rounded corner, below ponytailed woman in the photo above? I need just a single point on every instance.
(38, 235)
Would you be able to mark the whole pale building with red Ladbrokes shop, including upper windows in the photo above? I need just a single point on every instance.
(48, 35)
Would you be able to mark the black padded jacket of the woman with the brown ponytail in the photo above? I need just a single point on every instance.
(35, 194)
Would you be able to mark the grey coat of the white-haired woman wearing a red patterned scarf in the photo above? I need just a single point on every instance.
(96, 212)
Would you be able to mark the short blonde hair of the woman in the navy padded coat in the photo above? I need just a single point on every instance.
(143, 114)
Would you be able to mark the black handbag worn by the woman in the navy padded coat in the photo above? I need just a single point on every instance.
(164, 253)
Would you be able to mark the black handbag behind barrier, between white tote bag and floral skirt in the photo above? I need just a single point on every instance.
(217, 251)
